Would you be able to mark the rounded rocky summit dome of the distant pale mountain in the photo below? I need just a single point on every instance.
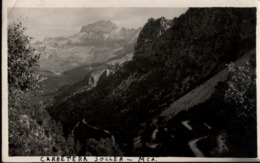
(100, 26)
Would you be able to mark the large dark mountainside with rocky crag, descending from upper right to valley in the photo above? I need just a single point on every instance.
(171, 57)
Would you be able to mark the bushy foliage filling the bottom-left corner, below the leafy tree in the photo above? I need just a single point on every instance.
(30, 135)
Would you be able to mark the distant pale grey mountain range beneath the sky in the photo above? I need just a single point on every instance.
(95, 43)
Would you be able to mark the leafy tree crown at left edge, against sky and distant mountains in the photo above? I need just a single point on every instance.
(22, 58)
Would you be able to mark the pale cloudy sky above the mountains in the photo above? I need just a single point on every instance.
(53, 22)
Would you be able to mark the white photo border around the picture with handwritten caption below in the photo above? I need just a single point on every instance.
(112, 3)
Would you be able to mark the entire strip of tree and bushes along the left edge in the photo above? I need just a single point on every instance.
(31, 130)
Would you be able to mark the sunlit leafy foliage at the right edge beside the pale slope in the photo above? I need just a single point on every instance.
(241, 89)
